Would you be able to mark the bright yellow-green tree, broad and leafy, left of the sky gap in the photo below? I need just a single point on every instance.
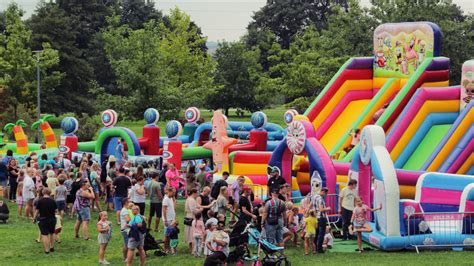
(158, 65)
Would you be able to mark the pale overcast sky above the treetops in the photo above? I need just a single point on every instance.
(218, 19)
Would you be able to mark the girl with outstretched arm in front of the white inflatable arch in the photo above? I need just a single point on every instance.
(359, 219)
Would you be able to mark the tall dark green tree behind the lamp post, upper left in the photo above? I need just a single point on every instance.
(51, 24)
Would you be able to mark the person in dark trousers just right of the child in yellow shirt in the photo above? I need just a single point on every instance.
(319, 204)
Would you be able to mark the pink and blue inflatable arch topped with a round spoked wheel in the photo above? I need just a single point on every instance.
(301, 140)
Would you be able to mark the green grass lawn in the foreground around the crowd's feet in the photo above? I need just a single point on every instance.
(19, 248)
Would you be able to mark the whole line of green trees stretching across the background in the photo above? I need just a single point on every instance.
(127, 55)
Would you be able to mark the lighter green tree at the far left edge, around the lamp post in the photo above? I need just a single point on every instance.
(18, 63)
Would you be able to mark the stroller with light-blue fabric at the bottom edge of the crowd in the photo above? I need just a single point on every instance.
(274, 255)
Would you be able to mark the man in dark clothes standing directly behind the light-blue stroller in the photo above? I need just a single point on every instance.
(273, 218)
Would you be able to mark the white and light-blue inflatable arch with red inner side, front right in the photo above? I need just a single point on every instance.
(372, 158)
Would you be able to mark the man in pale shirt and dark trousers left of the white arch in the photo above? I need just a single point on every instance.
(346, 206)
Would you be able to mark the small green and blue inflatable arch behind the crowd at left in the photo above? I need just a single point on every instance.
(117, 132)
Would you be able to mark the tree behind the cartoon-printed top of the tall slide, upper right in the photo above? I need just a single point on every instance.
(457, 28)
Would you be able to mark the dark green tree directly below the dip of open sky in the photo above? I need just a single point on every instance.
(236, 78)
